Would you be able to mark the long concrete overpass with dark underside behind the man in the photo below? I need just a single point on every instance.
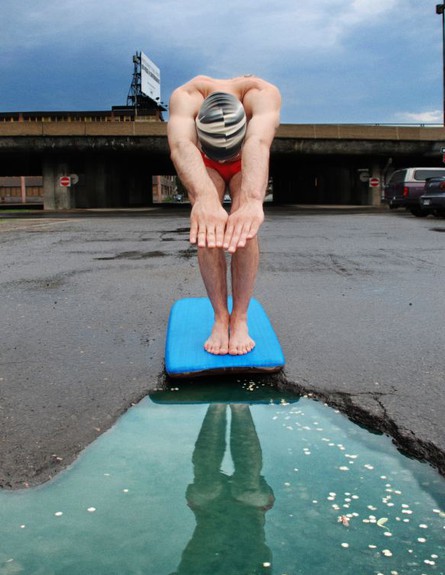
(116, 157)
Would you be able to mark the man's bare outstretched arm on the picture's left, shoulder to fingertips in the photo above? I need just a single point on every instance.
(208, 218)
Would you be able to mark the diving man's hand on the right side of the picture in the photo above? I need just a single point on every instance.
(243, 224)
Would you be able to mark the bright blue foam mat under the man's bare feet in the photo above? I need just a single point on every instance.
(190, 324)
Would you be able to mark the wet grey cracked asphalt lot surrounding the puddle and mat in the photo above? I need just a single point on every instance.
(356, 298)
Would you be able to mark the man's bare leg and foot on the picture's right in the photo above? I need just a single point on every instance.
(244, 269)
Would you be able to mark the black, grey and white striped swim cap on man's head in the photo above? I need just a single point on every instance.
(221, 126)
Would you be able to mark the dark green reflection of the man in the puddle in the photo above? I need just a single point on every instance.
(229, 537)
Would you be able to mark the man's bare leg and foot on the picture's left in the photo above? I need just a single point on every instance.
(213, 267)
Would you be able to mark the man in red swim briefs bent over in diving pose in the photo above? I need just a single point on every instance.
(220, 133)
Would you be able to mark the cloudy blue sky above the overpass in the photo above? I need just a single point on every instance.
(334, 61)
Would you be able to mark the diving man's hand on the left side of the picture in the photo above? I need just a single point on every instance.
(208, 223)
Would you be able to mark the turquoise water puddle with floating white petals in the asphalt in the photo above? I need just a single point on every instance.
(257, 483)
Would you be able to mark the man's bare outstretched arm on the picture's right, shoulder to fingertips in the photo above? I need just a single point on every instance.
(264, 107)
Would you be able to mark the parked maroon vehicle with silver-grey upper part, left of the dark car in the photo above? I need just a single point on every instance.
(405, 187)
